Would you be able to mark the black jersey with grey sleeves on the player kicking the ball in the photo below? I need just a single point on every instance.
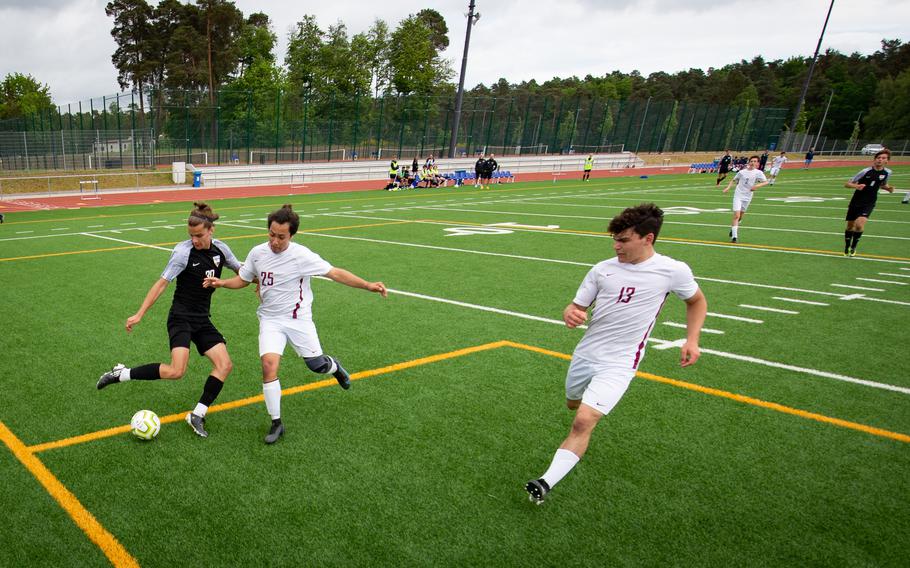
(190, 267)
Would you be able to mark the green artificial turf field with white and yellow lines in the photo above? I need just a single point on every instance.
(788, 443)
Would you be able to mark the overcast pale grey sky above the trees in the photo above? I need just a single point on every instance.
(67, 44)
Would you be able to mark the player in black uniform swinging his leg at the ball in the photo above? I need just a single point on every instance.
(189, 320)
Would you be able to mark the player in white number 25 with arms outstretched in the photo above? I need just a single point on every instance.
(283, 270)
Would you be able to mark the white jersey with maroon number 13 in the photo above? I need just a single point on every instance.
(627, 299)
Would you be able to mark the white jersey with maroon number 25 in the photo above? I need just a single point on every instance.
(284, 279)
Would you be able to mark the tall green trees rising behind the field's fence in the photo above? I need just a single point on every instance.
(210, 47)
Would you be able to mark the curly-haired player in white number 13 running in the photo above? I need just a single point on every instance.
(626, 293)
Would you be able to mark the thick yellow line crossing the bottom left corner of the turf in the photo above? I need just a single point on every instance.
(108, 544)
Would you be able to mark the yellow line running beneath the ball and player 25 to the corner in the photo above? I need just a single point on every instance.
(108, 432)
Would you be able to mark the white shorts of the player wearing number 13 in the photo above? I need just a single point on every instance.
(598, 385)
